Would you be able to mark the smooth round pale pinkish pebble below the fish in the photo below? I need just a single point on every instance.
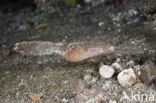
(106, 71)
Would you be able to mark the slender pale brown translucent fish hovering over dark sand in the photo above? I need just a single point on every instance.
(72, 52)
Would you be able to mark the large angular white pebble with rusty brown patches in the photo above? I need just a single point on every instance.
(127, 78)
